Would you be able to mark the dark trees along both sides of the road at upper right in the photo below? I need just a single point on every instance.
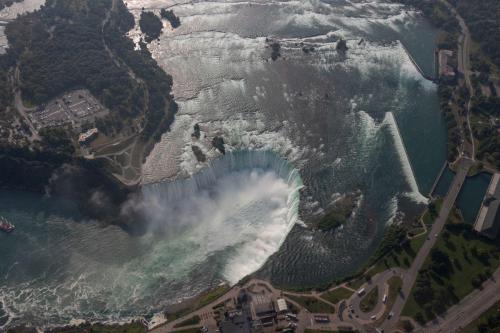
(481, 18)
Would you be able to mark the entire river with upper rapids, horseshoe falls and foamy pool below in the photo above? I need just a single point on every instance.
(366, 121)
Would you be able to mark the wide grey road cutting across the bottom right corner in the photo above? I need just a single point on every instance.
(470, 308)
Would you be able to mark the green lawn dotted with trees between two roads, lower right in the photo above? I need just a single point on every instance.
(459, 262)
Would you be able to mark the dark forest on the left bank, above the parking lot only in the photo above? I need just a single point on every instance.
(70, 44)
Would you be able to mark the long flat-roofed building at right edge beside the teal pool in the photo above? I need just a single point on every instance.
(488, 220)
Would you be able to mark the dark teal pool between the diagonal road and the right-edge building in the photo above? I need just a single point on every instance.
(471, 196)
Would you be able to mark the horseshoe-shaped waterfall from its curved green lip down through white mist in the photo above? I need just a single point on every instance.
(245, 202)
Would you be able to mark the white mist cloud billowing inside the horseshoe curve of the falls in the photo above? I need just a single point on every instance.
(242, 216)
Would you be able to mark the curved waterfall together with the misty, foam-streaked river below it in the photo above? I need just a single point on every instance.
(219, 225)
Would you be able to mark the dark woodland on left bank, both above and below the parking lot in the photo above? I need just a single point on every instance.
(82, 44)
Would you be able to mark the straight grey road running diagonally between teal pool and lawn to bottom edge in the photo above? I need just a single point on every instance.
(463, 166)
